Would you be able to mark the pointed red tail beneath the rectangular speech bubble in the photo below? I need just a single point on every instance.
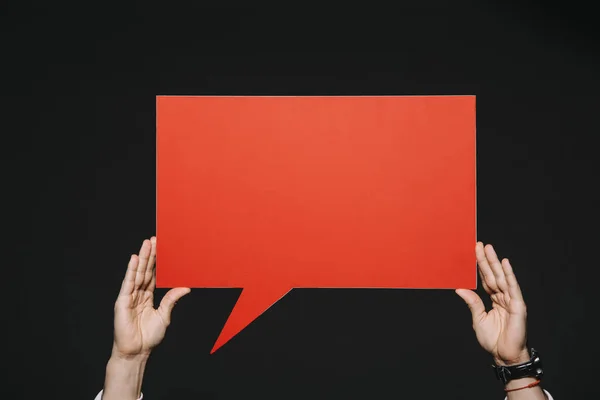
(249, 306)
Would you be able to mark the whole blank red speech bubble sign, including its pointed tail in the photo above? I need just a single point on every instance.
(273, 193)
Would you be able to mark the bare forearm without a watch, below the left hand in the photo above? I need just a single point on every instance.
(124, 376)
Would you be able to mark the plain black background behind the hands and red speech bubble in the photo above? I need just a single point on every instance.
(78, 105)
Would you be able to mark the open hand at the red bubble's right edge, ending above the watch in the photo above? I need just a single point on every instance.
(502, 331)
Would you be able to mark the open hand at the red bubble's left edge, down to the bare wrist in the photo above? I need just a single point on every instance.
(139, 327)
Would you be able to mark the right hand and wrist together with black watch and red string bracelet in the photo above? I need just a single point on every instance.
(502, 331)
